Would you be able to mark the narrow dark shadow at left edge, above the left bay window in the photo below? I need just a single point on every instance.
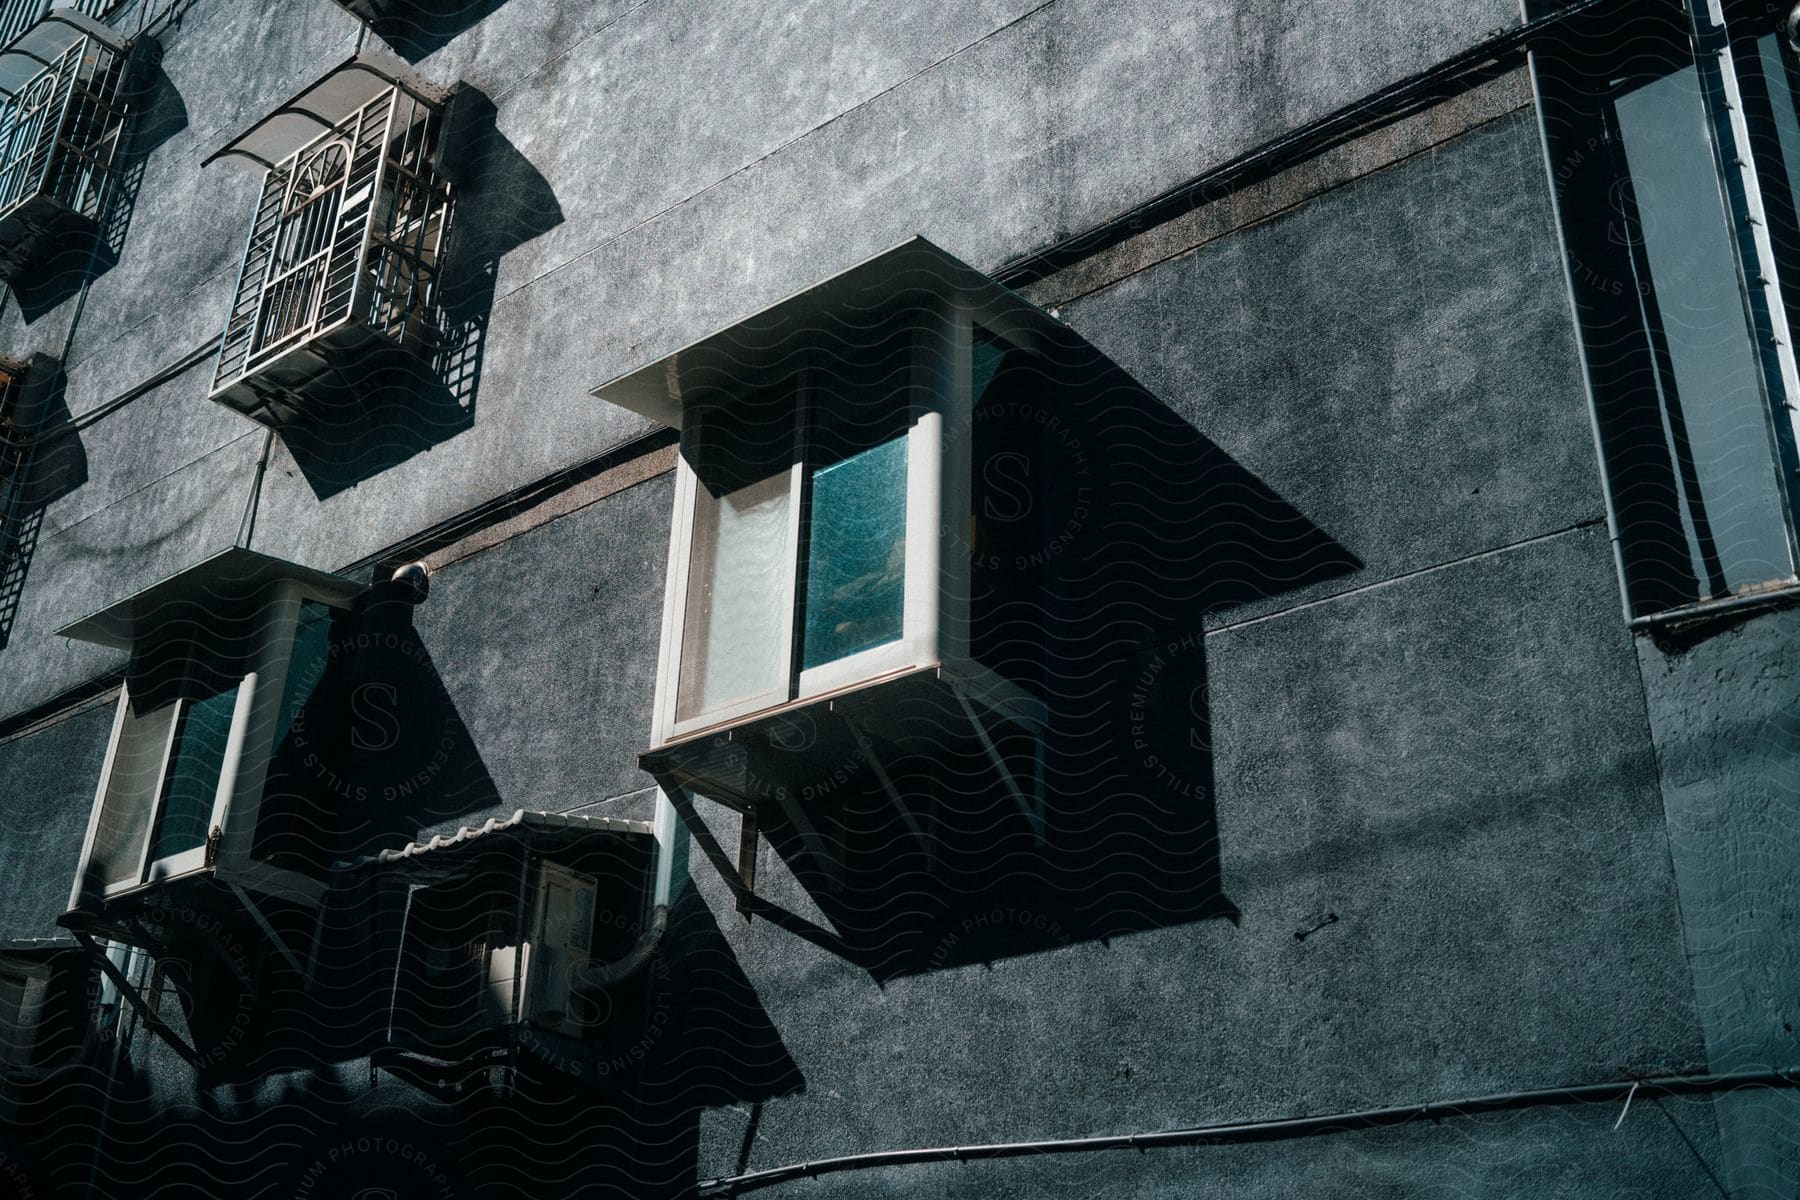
(49, 465)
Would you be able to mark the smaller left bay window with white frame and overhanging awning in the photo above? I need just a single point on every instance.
(226, 658)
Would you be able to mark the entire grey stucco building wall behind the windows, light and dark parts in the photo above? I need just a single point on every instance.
(1448, 746)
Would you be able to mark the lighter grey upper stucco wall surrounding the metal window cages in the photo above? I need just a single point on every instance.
(660, 172)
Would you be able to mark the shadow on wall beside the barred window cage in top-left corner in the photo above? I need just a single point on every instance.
(78, 262)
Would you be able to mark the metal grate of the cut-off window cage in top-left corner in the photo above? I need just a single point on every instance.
(60, 130)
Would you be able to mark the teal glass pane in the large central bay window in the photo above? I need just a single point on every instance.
(856, 559)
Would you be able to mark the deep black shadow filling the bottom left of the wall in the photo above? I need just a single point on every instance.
(688, 1034)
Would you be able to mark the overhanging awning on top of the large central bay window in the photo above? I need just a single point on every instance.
(912, 273)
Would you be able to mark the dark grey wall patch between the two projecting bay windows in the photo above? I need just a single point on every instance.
(543, 658)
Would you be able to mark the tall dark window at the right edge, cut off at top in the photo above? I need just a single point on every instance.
(1687, 379)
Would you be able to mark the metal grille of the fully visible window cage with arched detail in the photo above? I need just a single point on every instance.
(348, 231)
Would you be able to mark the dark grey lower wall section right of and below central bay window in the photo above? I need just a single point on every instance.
(1444, 751)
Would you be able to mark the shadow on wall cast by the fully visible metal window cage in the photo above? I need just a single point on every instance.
(388, 409)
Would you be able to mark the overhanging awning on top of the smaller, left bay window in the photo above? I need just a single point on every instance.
(220, 584)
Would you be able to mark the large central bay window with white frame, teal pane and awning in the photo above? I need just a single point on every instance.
(838, 614)
